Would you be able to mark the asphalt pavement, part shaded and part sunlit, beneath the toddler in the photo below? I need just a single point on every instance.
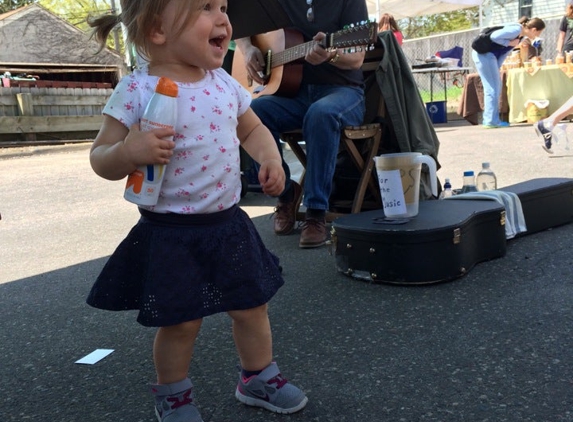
(495, 345)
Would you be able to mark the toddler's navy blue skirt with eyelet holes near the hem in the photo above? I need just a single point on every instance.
(175, 268)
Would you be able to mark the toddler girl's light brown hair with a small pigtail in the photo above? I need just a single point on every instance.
(140, 17)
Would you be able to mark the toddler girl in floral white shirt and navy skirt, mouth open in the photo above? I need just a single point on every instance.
(195, 253)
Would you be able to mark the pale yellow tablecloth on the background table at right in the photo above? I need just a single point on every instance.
(547, 83)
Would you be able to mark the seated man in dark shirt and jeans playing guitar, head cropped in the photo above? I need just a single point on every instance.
(331, 96)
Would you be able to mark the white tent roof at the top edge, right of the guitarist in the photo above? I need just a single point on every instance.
(409, 8)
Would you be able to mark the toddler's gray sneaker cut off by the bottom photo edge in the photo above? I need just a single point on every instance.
(174, 402)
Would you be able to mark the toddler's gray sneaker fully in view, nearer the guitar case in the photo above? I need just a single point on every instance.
(270, 391)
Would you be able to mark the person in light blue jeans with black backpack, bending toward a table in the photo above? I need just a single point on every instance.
(488, 64)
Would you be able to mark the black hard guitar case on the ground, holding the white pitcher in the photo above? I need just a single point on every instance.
(447, 238)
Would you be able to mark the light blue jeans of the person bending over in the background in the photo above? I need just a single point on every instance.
(488, 68)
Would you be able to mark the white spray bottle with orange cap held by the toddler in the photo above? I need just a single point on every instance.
(144, 184)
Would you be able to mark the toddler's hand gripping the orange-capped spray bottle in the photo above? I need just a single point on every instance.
(150, 147)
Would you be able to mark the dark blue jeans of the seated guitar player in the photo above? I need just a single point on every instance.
(322, 111)
